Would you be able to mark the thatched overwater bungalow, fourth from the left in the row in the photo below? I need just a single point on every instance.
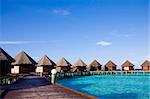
(63, 65)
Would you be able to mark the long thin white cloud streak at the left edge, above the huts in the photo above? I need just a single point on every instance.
(14, 42)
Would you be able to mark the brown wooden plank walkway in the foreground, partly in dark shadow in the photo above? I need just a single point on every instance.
(39, 88)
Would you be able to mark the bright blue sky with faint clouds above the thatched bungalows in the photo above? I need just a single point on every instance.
(86, 29)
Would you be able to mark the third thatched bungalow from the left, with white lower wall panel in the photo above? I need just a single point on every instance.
(45, 65)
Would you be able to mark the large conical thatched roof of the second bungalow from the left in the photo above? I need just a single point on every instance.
(23, 58)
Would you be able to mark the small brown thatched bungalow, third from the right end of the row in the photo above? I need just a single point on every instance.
(110, 66)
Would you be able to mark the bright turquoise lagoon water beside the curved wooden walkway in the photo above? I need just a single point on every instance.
(111, 86)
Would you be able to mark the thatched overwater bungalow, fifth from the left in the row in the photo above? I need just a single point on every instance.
(79, 65)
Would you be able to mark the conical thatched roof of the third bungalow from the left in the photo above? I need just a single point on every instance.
(45, 61)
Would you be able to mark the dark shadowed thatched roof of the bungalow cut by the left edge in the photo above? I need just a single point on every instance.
(5, 56)
